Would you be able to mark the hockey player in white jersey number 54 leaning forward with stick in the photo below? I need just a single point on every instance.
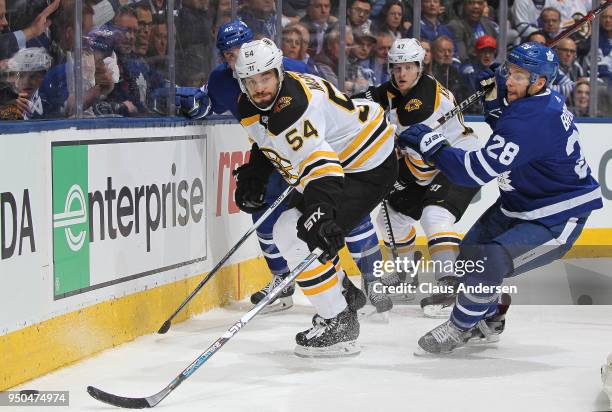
(339, 156)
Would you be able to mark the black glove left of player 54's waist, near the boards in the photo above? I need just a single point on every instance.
(250, 189)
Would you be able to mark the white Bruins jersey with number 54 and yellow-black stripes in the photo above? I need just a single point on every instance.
(315, 131)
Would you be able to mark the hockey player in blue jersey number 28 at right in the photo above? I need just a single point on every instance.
(546, 188)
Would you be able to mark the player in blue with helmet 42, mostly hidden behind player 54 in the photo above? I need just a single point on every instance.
(223, 91)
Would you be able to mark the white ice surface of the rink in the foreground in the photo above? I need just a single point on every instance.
(547, 360)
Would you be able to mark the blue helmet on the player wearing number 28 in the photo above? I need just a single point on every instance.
(537, 59)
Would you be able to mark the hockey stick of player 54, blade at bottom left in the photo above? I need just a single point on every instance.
(151, 401)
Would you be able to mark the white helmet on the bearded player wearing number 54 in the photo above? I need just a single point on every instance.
(255, 57)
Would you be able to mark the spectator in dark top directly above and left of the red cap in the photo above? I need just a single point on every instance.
(470, 27)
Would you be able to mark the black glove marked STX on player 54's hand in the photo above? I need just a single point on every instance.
(318, 229)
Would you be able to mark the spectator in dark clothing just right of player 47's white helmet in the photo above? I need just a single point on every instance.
(443, 69)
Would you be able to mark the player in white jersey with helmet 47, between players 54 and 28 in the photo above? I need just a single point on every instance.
(422, 194)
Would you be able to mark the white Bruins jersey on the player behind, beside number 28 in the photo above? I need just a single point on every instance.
(426, 103)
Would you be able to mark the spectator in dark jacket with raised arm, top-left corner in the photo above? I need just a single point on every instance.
(11, 42)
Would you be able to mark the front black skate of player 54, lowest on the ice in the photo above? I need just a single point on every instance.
(330, 338)
